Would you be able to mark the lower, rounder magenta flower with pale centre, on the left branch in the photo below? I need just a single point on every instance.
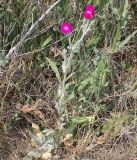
(66, 28)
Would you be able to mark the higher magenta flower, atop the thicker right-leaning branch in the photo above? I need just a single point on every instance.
(89, 12)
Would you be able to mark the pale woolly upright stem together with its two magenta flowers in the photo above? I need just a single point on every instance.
(66, 28)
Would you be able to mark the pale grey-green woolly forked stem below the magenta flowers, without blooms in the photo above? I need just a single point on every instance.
(63, 116)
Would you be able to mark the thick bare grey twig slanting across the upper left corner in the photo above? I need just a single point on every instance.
(14, 50)
